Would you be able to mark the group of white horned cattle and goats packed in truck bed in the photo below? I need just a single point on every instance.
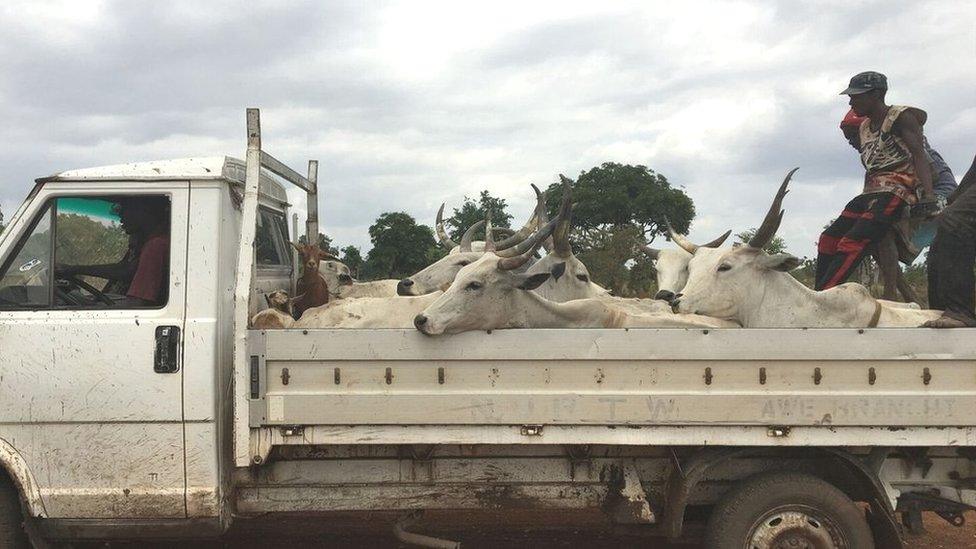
(487, 285)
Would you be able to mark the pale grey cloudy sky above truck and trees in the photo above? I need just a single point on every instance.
(408, 104)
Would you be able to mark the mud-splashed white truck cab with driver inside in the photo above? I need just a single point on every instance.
(110, 406)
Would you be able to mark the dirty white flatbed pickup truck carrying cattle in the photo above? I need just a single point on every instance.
(128, 417)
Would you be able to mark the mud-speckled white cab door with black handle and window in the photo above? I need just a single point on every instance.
(92, 299)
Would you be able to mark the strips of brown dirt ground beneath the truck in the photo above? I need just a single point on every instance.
(588, 531)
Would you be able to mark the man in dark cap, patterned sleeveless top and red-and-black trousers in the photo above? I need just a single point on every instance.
(896, 170)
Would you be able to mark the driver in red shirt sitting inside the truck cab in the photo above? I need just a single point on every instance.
(142, 274)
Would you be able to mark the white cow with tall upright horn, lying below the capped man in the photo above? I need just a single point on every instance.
(748, 285)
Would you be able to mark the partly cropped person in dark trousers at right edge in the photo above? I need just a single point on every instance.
(952, 285)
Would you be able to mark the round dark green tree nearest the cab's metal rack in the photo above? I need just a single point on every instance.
(401, 247)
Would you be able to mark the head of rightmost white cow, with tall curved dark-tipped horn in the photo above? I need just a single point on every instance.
(722, 282)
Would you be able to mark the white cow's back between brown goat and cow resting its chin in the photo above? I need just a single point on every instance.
(367, 312)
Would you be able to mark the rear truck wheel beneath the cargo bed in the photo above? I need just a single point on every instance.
(787, 510)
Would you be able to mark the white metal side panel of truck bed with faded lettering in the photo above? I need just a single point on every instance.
(900, 382)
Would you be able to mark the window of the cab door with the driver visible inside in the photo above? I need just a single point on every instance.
(106, 252)
